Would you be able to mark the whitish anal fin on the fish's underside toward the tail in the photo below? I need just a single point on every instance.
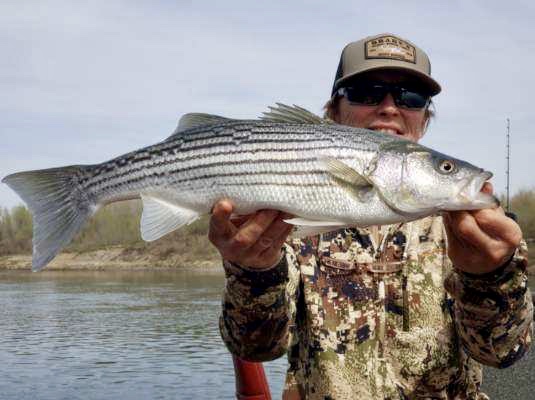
(161, 217)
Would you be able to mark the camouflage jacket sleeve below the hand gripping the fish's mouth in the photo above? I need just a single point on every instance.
(493, 313)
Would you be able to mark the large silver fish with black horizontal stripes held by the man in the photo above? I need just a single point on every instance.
(326, 175)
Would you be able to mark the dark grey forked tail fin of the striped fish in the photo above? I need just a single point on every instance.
(58, 205)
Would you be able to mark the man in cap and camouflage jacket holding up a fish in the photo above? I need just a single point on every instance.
(386, 312)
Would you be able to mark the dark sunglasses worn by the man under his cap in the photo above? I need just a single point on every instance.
(372, 94)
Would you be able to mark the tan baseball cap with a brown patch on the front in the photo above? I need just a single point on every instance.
(384, 51)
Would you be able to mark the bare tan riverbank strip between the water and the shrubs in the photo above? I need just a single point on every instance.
(114, 258)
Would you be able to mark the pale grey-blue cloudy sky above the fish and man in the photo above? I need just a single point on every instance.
(82, 82)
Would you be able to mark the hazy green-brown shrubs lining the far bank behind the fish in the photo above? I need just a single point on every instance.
(118, 224)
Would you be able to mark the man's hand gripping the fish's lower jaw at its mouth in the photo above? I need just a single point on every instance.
(481, 241)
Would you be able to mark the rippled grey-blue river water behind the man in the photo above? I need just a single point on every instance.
(135, 335)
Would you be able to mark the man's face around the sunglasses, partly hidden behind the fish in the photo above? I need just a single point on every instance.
(387, 116)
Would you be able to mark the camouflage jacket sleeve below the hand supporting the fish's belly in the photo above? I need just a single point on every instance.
(259, 309)
